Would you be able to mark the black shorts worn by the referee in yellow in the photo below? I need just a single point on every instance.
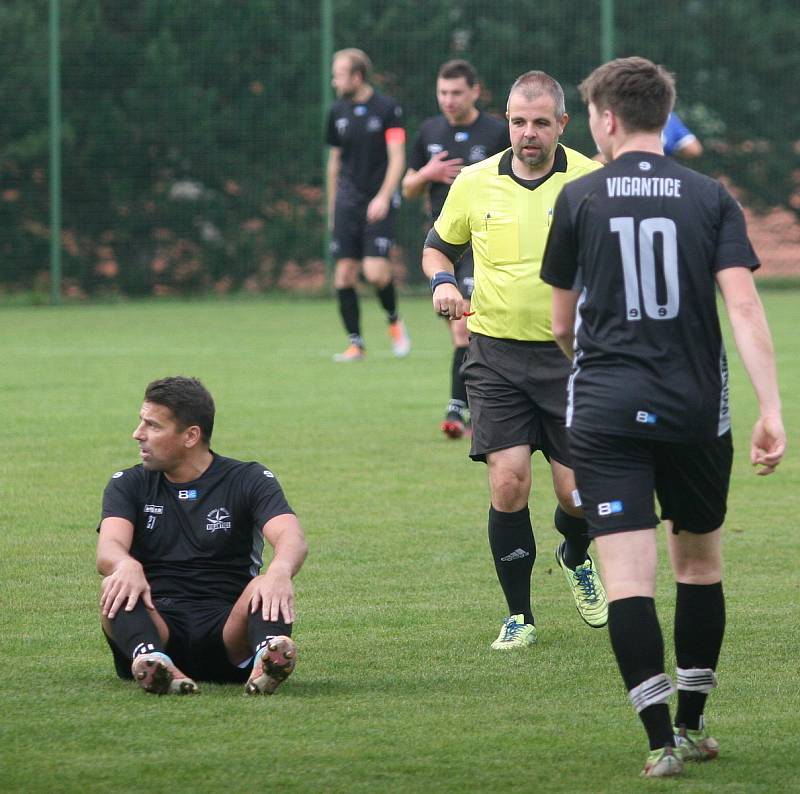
(517, 395)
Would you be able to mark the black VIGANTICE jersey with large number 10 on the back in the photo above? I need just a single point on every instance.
(642, 239)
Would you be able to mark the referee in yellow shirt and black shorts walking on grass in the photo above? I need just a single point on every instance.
(515, 375)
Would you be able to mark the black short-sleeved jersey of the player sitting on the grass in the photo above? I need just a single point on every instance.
(199, 539)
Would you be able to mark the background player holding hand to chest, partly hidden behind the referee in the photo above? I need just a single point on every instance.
(459, 136)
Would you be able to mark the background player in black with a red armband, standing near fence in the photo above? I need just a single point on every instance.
(365, 165)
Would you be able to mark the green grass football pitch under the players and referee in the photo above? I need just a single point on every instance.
(395, 690)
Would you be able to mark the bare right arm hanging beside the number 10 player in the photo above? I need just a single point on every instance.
(754, 343)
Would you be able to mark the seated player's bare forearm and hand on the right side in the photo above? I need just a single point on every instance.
(273, 591)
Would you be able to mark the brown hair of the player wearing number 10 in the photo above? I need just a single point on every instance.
(639, 91)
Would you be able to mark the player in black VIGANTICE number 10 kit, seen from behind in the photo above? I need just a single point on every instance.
(639, 247)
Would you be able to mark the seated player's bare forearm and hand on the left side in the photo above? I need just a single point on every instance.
(124, 582)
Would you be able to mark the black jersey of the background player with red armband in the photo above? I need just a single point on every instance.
(359, 129)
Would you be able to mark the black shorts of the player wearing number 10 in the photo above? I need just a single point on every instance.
(617, 477)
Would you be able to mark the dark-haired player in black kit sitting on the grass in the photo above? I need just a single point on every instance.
(179, 547)
